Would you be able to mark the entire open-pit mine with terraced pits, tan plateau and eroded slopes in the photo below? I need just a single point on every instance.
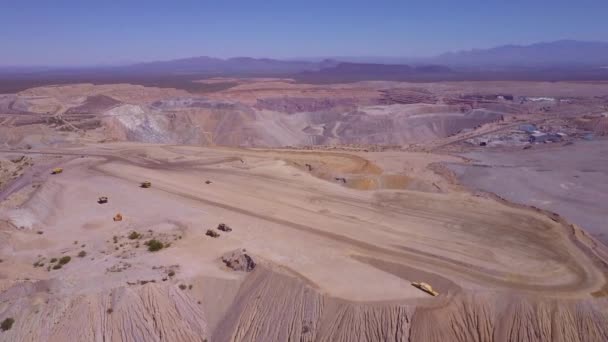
(273, 210)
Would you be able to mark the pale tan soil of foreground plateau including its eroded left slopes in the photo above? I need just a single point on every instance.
(307, 233)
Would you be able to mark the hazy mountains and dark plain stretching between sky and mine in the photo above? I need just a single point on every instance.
(553, 61)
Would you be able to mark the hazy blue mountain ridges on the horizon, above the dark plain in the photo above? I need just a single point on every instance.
(563, 53)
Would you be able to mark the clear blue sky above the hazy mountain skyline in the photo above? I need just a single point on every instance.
(84, 32)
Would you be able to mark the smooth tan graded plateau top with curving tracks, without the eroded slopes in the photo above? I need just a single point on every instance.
(452, 234)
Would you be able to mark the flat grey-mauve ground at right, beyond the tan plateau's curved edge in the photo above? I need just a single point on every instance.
(570, 180)
